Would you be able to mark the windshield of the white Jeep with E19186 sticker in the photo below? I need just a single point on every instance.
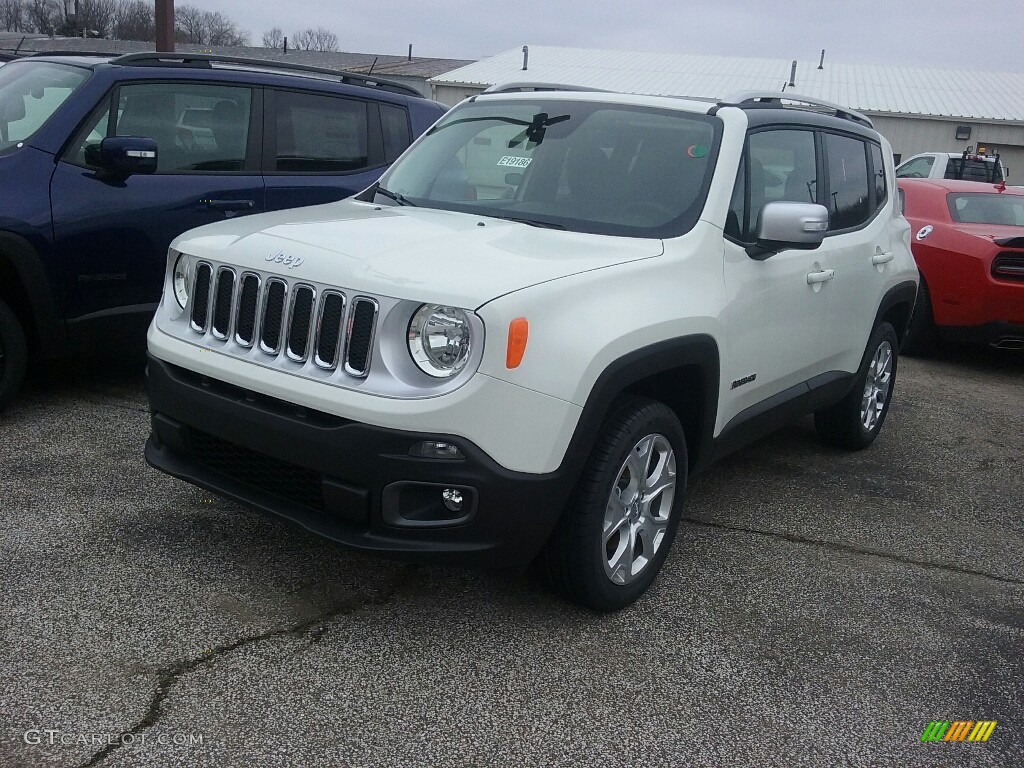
(583, 166)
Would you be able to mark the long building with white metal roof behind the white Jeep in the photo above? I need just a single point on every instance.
(918, 109)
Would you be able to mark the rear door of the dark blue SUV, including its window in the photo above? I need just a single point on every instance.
(326, 147)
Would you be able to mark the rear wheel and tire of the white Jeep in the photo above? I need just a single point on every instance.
(856, 421)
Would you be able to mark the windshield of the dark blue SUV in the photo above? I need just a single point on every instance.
(30, 94)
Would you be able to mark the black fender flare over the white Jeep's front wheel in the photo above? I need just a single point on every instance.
(698, 351)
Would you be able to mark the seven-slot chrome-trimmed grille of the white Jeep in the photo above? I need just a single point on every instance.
(290, 320)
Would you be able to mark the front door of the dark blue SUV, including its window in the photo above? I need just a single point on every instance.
(113, 233)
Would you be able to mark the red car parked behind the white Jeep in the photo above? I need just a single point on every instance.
(968, 239)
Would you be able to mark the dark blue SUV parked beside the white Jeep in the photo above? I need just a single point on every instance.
(104, 161)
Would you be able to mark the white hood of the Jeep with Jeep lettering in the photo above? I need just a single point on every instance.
(410, 253)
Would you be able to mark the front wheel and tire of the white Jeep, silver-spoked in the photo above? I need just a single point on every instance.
(617, 532)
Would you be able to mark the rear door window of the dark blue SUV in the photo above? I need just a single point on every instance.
(318, 134)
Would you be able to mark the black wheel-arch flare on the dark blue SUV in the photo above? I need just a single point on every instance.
(20, 258)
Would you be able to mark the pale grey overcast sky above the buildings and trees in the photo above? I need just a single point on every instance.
(987, 35)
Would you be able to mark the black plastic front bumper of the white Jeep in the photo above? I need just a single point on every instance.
(355, 484)
